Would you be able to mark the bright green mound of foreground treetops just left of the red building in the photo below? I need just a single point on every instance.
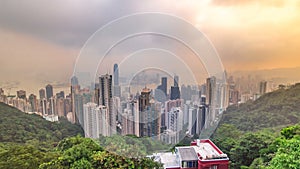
(78, 152)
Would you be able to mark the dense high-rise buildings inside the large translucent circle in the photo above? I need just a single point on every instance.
(162, 113)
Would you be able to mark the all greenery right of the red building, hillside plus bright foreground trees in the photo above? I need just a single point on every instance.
(254, 136)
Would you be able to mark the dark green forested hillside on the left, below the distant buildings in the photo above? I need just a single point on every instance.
(19, 127)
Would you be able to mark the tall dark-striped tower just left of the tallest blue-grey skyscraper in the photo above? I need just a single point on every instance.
(105, 99)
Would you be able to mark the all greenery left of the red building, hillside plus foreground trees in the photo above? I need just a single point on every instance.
(29, 141)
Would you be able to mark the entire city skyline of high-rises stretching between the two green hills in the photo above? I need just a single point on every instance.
(163, 113)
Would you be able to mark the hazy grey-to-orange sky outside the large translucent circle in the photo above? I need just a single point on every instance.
(40, 40)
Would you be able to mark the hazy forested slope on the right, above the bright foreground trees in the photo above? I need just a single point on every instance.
(278, 108)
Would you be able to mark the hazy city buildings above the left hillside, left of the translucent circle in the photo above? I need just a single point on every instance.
(48, 105)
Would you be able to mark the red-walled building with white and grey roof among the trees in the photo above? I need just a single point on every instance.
(201, 154)
